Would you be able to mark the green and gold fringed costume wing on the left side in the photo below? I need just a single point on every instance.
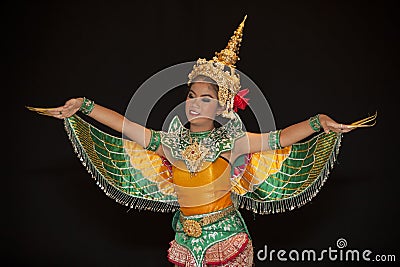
(124, 170)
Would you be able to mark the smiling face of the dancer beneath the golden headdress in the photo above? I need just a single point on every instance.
(202, 103)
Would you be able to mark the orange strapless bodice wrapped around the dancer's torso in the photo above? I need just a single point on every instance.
(205, 191)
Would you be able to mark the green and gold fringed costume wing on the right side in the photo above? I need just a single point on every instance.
(284, 179)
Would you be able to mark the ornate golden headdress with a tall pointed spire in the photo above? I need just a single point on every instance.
(222, 70)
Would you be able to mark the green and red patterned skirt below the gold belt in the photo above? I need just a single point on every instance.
(225, 242)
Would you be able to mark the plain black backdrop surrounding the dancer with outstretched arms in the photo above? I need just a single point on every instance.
(332, 57)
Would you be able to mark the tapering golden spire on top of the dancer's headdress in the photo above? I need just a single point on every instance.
(229, 55)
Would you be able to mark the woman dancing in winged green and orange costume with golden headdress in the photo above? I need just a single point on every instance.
(205, 172)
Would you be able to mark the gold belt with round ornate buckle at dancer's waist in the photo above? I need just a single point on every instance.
(194, 228)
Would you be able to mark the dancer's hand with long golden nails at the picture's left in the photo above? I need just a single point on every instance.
(67, 110)
